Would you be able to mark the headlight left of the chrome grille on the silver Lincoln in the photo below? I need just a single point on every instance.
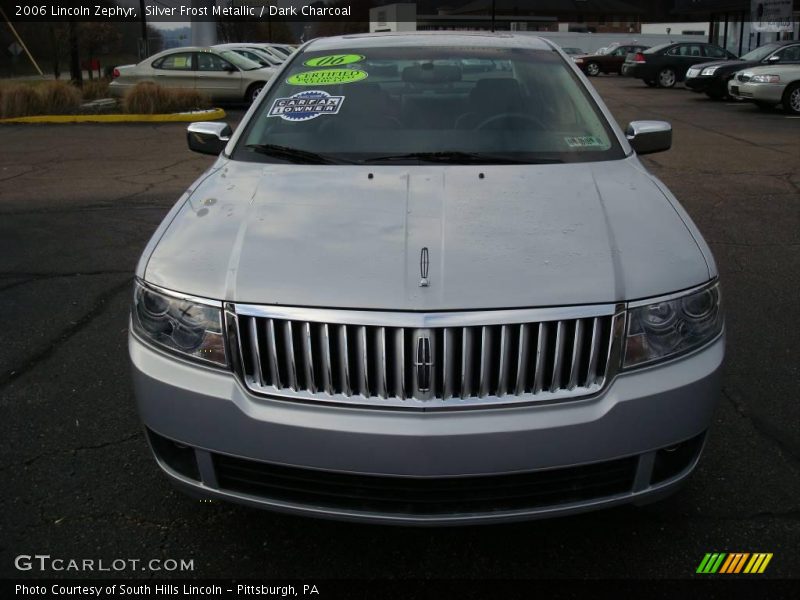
(186, 326)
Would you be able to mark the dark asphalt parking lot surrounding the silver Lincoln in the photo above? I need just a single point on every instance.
(77, 206)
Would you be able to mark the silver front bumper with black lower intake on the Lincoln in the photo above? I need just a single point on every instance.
(405, 467)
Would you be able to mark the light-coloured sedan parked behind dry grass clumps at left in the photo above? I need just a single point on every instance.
(221, 74)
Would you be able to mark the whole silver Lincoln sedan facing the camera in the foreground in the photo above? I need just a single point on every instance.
(418, 295)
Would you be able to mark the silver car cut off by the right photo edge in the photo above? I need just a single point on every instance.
(768, 86)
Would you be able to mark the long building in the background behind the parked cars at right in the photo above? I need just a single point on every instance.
(738, 25)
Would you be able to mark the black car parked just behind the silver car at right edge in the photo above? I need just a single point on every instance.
(712, 77)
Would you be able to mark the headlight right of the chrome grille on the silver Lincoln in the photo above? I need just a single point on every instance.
(672, 327)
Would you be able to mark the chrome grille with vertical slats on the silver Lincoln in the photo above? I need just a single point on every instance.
(425, 360)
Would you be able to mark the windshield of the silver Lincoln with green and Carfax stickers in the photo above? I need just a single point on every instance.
(437, 104)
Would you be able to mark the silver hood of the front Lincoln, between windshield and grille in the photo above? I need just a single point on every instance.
(352, 236)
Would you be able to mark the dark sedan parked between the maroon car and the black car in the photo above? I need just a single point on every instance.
(666, 64)
